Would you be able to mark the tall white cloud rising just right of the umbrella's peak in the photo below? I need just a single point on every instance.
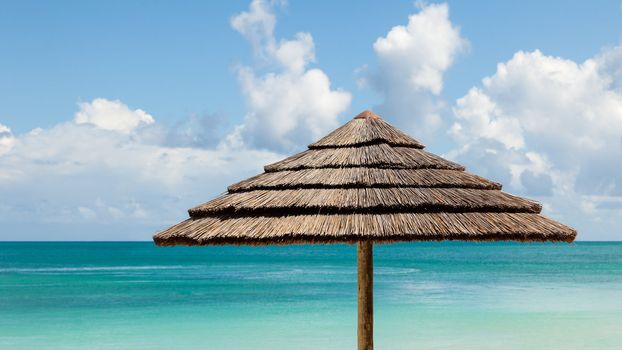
(412, 60)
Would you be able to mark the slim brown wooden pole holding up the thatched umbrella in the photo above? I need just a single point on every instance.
(365, 295)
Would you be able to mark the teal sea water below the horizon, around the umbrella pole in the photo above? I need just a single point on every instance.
(427, 296)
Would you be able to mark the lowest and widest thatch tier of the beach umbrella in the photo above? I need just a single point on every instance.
(350, 228)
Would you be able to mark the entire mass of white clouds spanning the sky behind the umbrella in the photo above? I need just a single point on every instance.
(546, 127)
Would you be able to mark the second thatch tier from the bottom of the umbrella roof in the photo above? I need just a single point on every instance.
(365, 200)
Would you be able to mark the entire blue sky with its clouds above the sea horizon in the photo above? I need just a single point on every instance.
(133, 103)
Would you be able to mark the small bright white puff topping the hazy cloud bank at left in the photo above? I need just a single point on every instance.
(111, 115)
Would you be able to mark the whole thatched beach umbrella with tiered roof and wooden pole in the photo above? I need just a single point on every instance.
(364, 183)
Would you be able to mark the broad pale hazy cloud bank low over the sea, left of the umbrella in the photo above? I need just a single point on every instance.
(76, 173)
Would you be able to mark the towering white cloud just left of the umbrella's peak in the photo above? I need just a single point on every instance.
(293, 105)
